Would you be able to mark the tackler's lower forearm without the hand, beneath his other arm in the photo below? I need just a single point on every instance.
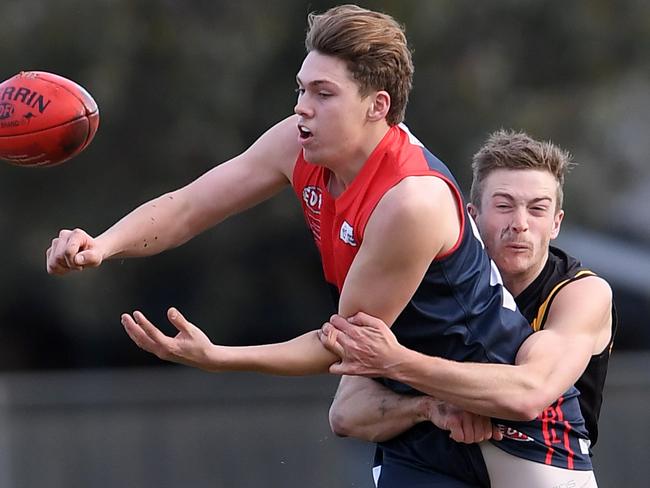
(366, 410)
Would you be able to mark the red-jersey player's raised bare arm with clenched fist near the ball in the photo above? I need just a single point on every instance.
(173, 218)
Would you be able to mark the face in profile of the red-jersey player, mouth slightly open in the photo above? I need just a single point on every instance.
(332, 113)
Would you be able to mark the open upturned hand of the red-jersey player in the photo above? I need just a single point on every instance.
(189, 346)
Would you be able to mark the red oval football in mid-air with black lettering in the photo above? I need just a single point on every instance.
(45, 119)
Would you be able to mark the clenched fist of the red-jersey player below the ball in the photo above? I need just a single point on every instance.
(72, 250)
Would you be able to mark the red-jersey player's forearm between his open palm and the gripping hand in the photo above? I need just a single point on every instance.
(303, 355)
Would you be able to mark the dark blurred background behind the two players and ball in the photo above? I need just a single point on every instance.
(184, 85)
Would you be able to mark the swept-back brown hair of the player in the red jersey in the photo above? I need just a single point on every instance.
(374, 47)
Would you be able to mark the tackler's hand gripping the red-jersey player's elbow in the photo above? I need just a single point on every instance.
(365, 344)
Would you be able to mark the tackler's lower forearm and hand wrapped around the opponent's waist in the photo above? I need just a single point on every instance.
(366, 410)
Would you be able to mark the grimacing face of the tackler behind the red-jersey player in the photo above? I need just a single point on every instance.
(518, 219)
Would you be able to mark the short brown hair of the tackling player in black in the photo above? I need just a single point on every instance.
(509, 149)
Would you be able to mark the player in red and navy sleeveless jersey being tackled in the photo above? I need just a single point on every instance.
(391, 226)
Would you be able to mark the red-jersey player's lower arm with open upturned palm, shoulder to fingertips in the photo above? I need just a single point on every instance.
(381, 280)
